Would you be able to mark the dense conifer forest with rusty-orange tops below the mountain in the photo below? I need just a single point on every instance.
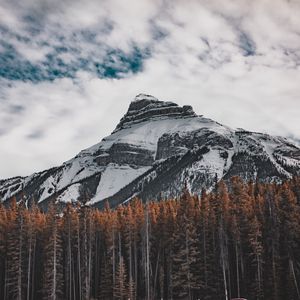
(238, 240)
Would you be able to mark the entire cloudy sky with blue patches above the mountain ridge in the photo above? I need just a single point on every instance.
(69, 69)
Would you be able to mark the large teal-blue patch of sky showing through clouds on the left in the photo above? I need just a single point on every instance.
(115, 63)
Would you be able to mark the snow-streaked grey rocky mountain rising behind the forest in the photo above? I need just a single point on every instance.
(157, 147)
